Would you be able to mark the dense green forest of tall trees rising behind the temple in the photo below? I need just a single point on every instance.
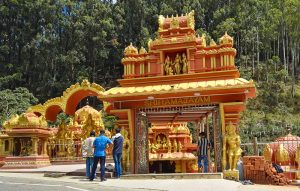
(47, 45)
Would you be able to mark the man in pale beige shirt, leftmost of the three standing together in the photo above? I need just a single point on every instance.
(88, 152)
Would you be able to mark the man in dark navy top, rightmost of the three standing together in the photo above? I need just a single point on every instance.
(117, 152)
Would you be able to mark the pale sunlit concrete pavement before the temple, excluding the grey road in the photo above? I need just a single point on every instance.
(147, 184)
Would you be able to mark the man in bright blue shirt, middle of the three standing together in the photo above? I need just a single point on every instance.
(100, 145)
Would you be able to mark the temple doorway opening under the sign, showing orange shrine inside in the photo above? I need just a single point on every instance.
(166, 138)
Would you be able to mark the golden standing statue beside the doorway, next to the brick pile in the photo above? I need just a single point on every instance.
(231, 147)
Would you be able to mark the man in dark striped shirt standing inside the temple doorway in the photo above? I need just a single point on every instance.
(202, 150)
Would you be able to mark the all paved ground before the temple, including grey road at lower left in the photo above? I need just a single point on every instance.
(34, 180)
